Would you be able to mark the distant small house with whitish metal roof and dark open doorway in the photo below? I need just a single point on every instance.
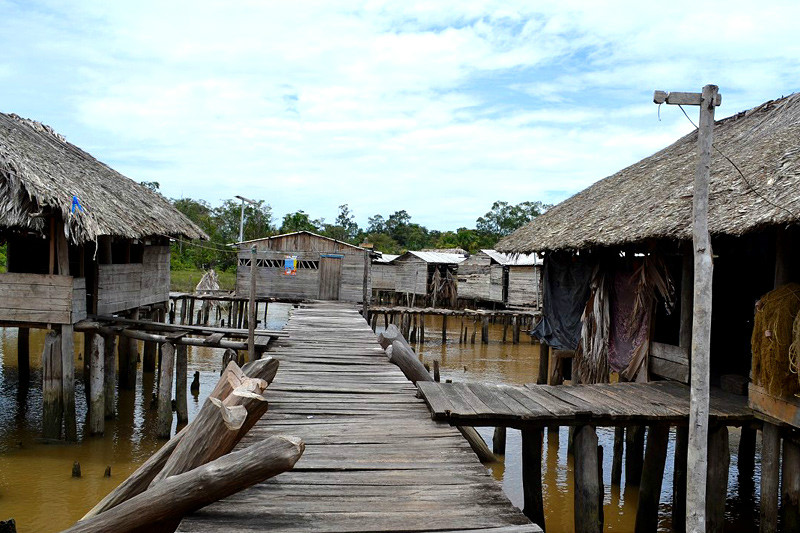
(429, 275)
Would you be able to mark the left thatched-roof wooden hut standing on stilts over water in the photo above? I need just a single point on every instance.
(81, 239)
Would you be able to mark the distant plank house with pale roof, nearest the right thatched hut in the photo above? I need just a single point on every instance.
(492, 276)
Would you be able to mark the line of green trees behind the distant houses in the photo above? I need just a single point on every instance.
(392, 234)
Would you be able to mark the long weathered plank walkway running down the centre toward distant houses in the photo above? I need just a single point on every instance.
(374, 459)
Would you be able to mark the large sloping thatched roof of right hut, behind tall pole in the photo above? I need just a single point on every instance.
(652, 199)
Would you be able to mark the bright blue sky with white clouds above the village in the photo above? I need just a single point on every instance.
(436, 107)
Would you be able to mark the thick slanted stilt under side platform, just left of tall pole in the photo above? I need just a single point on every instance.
(652, 475)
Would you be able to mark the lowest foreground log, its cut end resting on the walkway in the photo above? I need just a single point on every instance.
(181, 494)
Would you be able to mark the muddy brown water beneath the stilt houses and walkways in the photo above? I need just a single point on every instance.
(36, 487)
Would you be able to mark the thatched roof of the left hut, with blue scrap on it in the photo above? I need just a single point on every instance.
(40, 173)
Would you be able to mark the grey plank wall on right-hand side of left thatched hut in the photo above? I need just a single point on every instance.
(128, 286)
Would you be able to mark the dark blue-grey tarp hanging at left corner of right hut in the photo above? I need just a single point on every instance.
(566, 291)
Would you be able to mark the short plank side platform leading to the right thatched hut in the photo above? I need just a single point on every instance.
(479, 404)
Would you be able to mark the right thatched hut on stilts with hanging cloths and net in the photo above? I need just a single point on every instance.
(618, 283)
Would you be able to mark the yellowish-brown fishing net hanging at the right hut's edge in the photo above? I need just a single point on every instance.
(776, 334)
